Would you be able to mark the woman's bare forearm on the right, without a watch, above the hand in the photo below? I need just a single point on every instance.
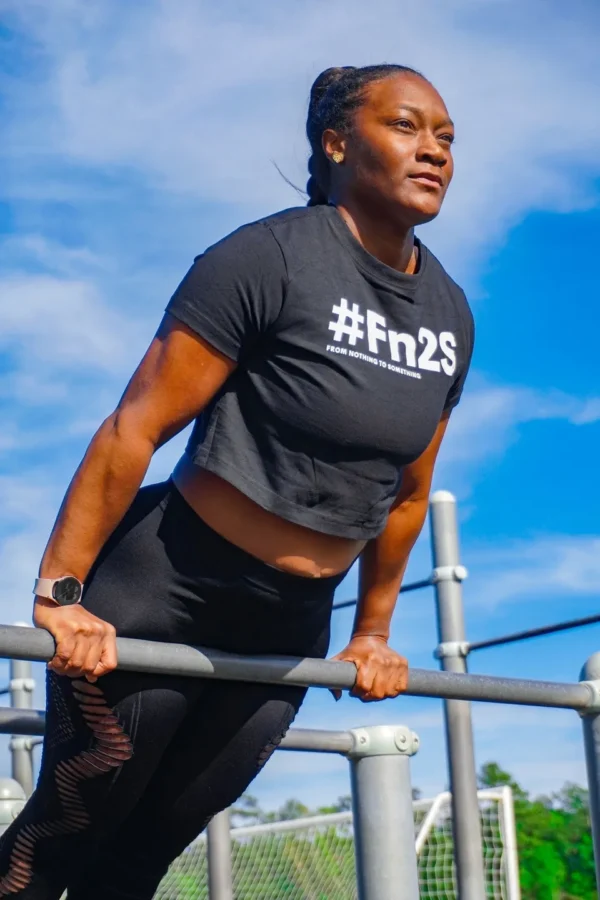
(382, 566)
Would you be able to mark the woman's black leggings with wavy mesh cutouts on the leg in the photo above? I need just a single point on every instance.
(135, 765)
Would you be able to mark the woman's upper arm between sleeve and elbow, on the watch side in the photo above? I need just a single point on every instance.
(178, 376)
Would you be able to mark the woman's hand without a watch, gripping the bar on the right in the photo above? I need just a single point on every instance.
(381, 672)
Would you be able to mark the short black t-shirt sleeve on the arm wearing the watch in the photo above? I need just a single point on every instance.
(234, 291)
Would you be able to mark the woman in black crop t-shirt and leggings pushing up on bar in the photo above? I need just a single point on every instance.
(320, 351)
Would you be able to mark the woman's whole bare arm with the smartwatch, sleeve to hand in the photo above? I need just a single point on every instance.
(177, 377)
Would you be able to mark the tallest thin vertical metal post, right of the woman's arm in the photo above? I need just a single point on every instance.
(466, 821)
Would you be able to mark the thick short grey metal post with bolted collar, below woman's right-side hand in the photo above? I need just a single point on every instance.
(384, 829)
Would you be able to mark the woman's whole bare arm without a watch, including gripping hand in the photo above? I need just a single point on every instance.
(381, 671)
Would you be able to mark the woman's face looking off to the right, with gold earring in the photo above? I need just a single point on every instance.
(398, 155)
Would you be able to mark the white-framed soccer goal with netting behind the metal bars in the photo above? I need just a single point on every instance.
(313, 858)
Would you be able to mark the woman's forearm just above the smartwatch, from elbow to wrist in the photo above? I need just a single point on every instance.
(98, 497)
